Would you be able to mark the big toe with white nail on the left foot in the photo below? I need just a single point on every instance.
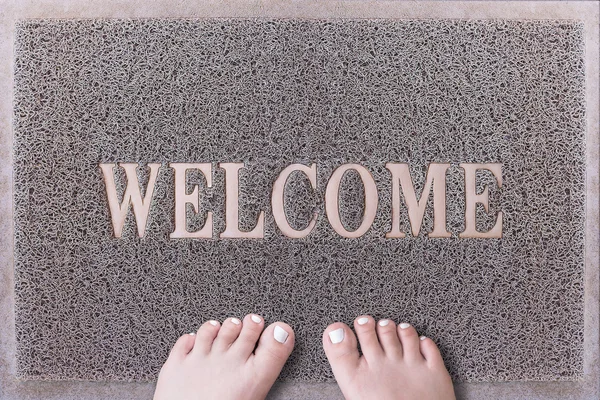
(274, 347)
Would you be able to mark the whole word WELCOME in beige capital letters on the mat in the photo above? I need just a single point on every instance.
(401, 181)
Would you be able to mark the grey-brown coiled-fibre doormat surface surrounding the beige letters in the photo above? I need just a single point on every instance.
(271, 93)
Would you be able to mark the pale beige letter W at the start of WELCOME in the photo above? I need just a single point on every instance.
(132, 195)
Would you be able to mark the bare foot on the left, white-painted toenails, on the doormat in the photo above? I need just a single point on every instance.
(220, 362)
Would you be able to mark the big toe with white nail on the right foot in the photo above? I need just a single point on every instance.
(341, 349)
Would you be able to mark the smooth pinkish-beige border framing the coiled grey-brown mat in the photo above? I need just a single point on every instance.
(11, 10)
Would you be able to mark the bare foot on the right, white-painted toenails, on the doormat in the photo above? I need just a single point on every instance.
(396, 363)
